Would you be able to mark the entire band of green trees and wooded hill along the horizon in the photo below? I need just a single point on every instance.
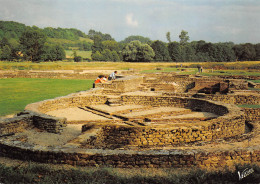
(18, 41)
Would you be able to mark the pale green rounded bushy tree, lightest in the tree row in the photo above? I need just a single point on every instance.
(137, 52)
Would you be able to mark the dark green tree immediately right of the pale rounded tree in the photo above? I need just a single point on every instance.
(161, 51)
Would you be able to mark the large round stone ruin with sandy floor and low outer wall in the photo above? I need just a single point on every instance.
(131, 129)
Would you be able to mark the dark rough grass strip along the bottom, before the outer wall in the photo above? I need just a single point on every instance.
(36, 173)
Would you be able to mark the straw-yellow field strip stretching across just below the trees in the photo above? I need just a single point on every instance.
(187, 68)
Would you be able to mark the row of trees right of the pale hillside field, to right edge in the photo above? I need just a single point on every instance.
(142, 49)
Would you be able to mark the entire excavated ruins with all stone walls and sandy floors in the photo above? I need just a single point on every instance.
(159, 120)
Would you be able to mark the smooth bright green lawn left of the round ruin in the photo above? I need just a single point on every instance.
(17, 93)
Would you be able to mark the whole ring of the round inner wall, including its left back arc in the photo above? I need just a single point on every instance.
(231, 122)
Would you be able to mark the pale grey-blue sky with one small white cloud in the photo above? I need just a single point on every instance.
(213, 21)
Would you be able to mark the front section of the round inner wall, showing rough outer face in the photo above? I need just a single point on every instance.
(124, 136)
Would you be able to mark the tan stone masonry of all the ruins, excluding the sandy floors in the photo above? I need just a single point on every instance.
(140, 142)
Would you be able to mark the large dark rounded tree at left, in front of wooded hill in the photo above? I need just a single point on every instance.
(32, 43)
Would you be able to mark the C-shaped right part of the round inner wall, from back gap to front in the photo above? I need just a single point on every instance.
(229, 124)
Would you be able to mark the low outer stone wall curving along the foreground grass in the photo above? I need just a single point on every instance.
(134, 159)
